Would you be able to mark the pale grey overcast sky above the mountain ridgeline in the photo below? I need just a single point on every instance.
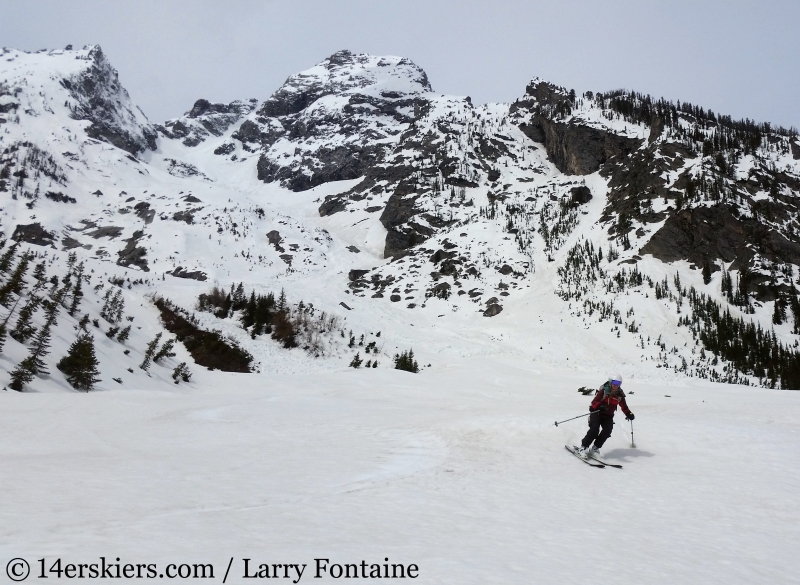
(735, 57)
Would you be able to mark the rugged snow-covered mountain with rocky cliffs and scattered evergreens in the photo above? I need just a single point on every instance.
(589, 231)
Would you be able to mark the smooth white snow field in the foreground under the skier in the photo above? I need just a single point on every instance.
(459, 470)
